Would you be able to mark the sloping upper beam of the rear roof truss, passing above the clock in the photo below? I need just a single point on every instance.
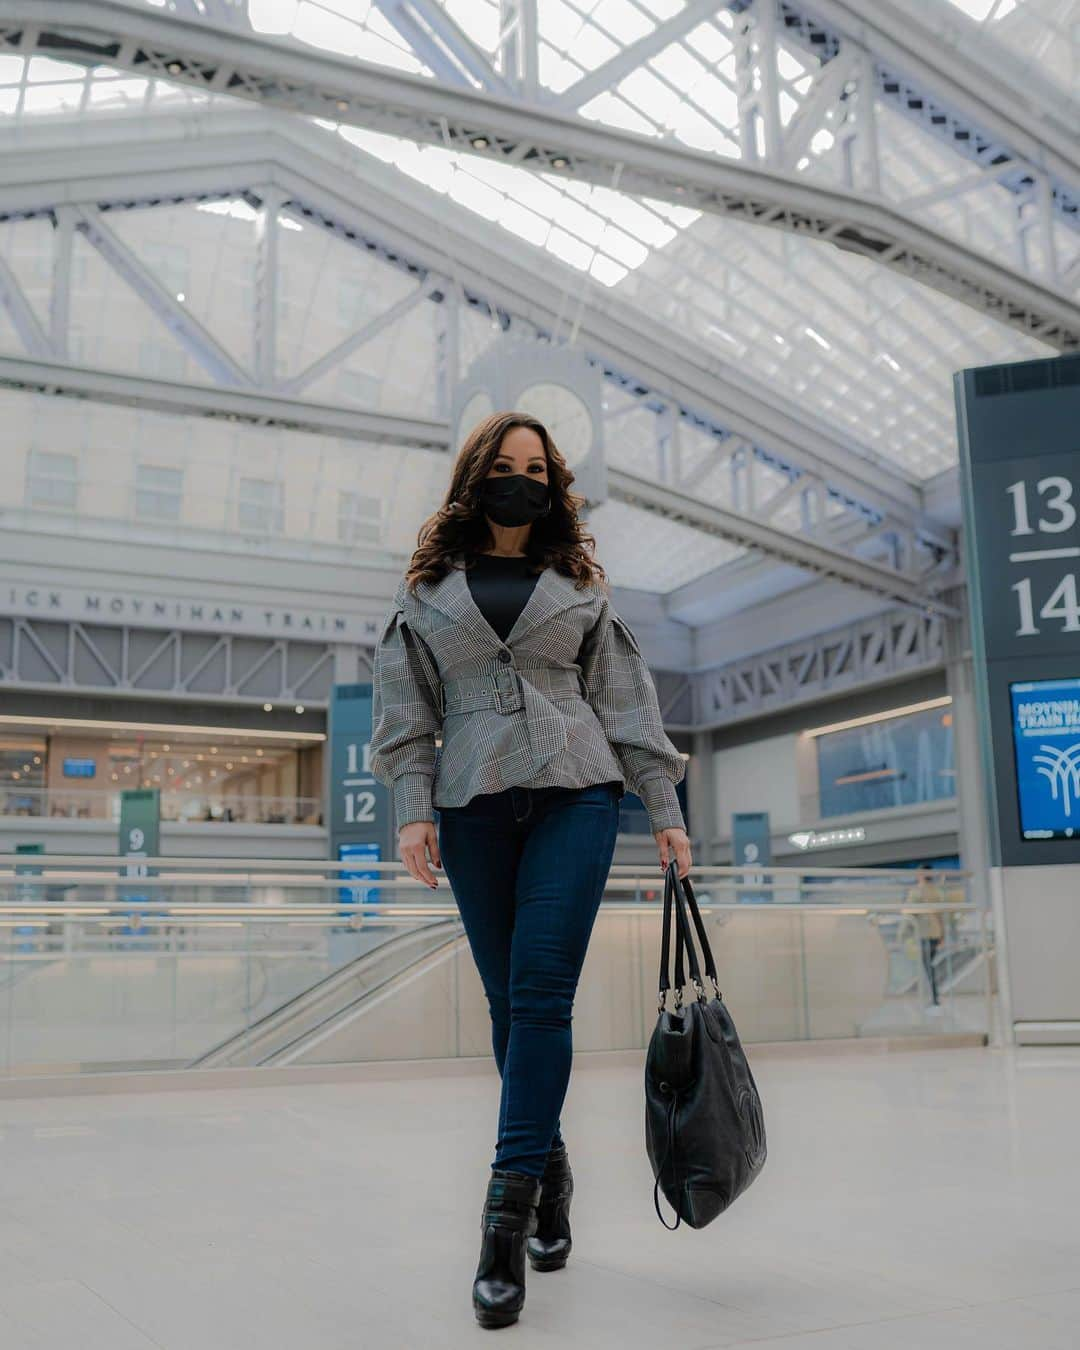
(128, 165)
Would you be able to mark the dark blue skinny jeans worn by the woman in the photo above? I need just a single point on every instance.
(529, 867)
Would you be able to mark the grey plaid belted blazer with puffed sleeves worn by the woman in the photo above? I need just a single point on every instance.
(568, 700)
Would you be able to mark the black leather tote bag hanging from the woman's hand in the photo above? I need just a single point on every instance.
(705, 1131)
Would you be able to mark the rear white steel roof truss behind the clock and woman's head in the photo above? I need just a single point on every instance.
(789, 488)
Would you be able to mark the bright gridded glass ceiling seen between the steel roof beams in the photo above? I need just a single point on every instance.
(862, 349)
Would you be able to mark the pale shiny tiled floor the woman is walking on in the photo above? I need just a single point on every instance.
(911, 1202)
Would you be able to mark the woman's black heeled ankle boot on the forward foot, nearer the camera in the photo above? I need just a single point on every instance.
(510, 1217)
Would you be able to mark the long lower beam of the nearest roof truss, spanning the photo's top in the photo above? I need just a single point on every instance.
(221, 60)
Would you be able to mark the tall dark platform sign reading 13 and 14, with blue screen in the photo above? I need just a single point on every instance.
(1020, 473)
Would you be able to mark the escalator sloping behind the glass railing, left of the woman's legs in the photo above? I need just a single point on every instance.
(313, 1019)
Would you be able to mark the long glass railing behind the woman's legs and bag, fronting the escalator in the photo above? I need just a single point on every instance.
(214, 963)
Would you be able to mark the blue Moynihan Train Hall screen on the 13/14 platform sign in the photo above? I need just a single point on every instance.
(1047, 743)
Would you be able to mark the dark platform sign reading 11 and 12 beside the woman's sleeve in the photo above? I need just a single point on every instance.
(360, 807)
